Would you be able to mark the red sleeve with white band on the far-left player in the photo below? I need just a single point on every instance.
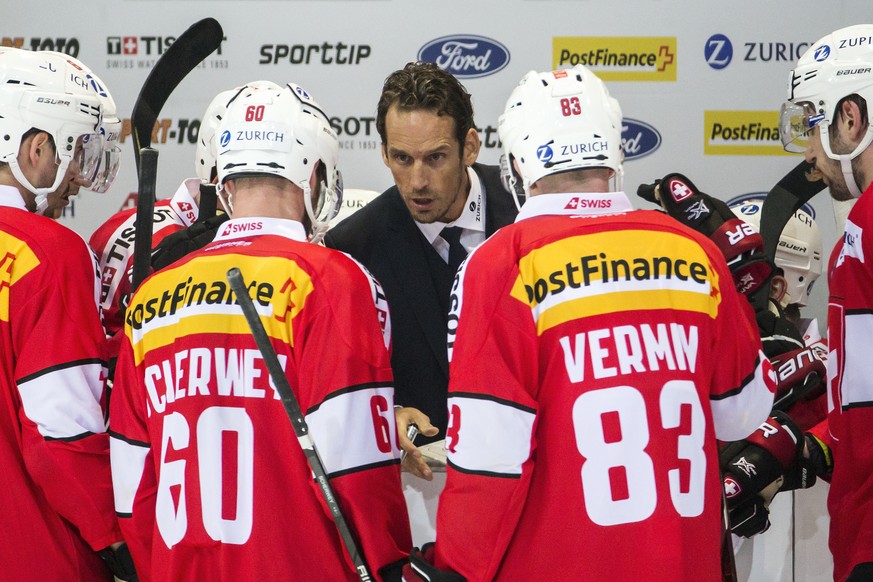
(56, 336)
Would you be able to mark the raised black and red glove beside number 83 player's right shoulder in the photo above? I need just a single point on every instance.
(739, 242)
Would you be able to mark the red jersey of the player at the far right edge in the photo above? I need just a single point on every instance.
(850, 391)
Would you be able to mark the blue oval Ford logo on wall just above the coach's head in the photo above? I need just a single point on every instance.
(466, 57)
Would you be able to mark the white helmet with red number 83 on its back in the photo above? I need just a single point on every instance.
(559, 121)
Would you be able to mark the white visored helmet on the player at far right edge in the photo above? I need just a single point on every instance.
(834, 67)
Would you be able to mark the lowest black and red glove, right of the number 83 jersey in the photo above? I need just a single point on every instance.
(753, 469)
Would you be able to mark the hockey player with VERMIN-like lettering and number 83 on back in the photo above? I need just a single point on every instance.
(596, 354)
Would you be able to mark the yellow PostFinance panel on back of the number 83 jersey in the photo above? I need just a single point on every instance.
(616, 271)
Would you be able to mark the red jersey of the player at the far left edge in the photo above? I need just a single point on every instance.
(57, 508)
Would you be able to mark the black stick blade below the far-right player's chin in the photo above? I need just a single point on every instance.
(794, 190)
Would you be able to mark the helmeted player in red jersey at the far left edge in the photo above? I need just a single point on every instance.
(55, 451)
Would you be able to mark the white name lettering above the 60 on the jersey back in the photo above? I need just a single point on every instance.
(233, 372)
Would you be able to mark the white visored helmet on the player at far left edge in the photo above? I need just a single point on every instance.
(48, 92)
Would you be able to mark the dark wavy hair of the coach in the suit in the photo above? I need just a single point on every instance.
(421, 85)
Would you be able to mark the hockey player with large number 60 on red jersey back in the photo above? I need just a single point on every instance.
(210, 481)
